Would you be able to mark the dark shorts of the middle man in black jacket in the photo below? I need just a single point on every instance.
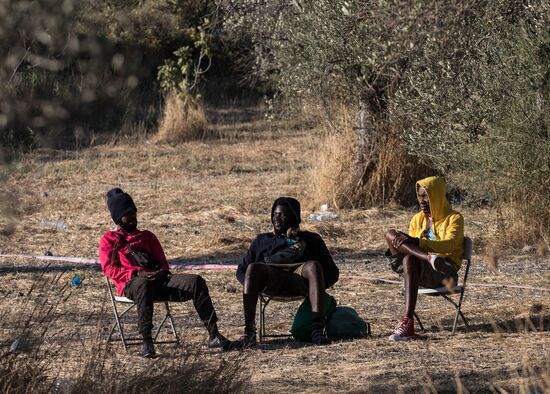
(286, 281)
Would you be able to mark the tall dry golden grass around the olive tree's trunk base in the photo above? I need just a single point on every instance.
(346, 177)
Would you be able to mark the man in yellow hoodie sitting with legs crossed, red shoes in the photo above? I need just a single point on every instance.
(431, 253)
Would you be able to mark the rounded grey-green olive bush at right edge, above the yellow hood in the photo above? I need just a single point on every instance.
(475, 104)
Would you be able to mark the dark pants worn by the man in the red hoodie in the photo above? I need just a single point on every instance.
(180, 287)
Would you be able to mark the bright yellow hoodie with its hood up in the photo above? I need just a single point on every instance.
(448, 225)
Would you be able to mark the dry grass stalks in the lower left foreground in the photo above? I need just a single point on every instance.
(45, 338)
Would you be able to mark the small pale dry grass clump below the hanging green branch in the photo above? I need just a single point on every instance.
(182, 121)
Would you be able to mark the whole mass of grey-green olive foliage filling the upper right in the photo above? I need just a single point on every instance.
(466, 84)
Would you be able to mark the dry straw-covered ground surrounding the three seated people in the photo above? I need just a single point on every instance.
(206, 201)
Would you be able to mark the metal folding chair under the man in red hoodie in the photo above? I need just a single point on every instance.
(128, 341)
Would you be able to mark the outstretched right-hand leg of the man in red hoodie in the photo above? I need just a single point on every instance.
(183, 287)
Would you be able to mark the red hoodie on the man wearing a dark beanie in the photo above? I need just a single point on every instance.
(120, 267)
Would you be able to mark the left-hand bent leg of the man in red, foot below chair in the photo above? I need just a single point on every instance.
(141, 291)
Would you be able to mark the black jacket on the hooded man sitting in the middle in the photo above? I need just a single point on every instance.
(268, 243)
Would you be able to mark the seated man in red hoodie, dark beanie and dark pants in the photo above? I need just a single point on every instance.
(134, 260)
